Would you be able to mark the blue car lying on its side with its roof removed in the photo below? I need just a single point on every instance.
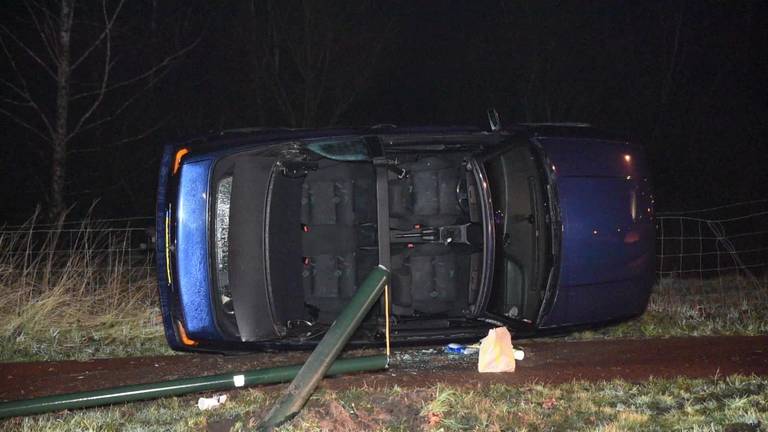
(265, 234)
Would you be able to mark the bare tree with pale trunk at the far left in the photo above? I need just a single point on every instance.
(49, 48)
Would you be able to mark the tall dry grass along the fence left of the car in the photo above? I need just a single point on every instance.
(70, 292)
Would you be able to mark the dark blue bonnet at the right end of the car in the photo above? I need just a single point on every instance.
(606, 266)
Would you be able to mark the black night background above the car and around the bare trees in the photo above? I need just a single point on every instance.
(686, 78)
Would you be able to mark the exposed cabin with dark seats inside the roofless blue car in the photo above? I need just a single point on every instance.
(328, 221)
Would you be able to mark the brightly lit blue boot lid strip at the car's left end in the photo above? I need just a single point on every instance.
(193, 271)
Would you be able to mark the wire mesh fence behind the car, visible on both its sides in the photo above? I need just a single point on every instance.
(718, 251)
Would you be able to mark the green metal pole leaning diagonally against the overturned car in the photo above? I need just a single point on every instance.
(327, 350)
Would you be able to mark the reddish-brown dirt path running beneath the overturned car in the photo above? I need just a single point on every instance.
(545, 362)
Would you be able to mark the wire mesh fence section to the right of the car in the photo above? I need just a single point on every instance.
(720, 251)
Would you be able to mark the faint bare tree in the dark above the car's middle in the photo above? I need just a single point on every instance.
(314, 58)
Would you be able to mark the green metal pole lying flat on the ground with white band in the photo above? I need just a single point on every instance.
(178, 387)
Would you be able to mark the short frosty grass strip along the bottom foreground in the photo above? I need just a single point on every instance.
(735, 403)
